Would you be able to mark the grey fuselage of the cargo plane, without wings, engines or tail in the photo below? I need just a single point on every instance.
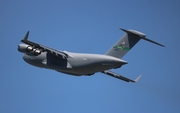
(76, 64)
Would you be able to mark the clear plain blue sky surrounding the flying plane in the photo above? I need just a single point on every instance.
(91, 26)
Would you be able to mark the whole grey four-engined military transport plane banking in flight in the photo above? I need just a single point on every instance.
(79, 64)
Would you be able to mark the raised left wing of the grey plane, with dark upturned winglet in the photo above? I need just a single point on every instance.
(44, 48)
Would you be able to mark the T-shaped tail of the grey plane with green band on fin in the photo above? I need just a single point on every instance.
(123, 45)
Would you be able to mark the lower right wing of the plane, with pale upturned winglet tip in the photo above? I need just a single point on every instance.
(120, 76)
